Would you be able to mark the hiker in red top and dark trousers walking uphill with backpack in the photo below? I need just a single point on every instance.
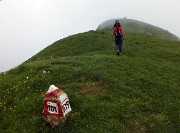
(118, 35)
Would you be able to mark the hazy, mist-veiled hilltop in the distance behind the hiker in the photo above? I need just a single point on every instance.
(135, 26)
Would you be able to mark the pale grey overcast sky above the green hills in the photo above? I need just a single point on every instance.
(28, 26)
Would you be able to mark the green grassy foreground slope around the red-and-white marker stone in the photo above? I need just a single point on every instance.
(136, 92)
